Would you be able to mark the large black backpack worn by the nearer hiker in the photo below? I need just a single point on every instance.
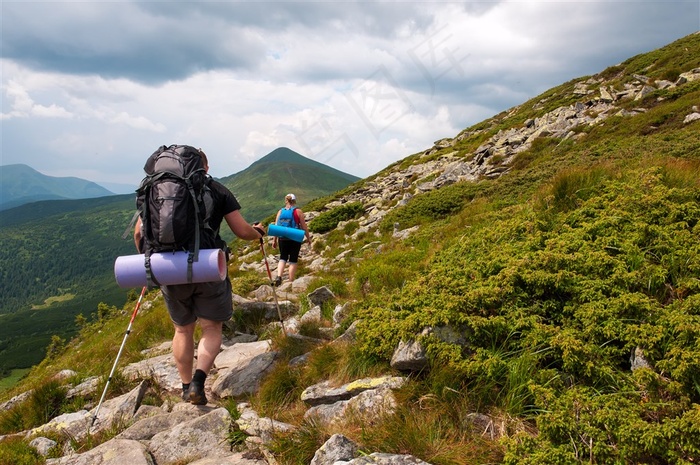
(174, 201)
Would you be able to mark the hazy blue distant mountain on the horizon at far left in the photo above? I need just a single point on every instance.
(20, 184)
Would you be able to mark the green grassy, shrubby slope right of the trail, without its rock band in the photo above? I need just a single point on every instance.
(556, 276)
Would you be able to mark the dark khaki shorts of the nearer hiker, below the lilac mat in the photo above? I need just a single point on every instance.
(210, 301)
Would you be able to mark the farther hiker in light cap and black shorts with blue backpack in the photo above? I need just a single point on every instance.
(289, 216)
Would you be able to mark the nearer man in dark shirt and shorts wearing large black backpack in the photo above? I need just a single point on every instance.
(181, 208)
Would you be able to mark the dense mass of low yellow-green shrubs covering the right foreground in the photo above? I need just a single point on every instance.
(551, 299)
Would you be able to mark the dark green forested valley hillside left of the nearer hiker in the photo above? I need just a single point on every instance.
(56, 261)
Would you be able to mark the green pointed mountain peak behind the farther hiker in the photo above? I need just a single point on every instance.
(262, 186)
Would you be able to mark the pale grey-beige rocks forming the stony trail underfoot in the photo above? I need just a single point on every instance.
(180, 433)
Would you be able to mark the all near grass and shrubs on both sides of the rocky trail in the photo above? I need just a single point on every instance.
(559, 300)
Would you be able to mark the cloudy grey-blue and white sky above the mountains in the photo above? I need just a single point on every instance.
(91, 88)
